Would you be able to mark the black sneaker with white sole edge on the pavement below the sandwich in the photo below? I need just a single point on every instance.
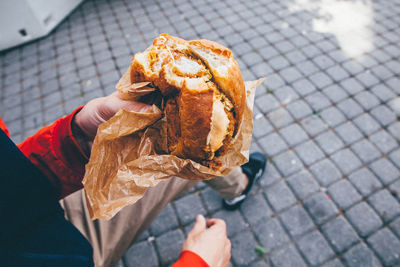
(254, 169)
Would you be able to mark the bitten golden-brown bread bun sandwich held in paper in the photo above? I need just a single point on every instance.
(203, 92)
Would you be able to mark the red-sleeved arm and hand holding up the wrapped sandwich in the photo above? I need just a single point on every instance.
(60, 150)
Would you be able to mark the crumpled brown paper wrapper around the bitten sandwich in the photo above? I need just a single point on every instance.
(129, 154)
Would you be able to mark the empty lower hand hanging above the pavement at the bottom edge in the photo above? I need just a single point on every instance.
(211, 244)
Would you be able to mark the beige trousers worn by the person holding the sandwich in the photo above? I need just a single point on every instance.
(111, 239)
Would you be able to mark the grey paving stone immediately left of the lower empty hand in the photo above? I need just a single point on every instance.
(169, 246)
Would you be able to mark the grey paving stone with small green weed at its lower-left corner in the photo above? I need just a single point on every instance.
(271, 234)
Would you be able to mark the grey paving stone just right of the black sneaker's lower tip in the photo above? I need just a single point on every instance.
(255, 209)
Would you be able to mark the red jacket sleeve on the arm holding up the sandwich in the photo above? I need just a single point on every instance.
(56, 153)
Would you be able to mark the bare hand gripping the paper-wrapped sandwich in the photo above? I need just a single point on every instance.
(98, 111)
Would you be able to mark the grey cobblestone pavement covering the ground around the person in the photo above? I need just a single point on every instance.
(327, 117)
